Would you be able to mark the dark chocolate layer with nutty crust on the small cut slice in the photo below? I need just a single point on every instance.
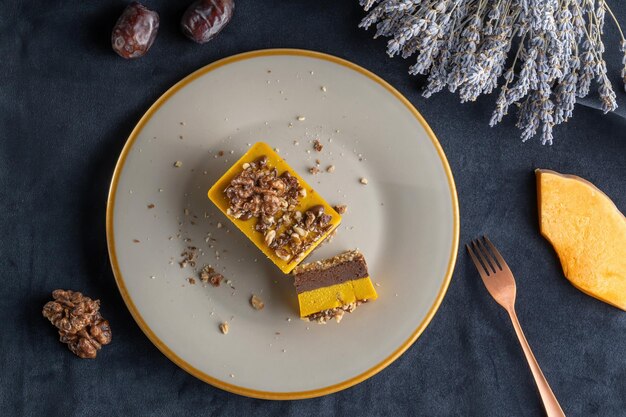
(345, 267)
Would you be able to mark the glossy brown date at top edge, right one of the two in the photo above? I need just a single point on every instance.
(204, 19)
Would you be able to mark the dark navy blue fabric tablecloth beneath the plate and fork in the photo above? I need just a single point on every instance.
(67, 105)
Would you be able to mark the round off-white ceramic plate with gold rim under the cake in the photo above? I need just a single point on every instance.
(405, 221)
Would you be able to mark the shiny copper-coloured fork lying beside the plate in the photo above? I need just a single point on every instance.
(500, 283)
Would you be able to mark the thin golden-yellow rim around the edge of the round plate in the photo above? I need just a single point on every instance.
(178, 360)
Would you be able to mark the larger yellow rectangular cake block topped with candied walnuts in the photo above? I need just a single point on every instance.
(274, 207)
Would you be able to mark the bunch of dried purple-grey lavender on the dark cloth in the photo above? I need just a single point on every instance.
(465, 45)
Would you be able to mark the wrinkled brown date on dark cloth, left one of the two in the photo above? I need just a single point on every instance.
(135, 31)
